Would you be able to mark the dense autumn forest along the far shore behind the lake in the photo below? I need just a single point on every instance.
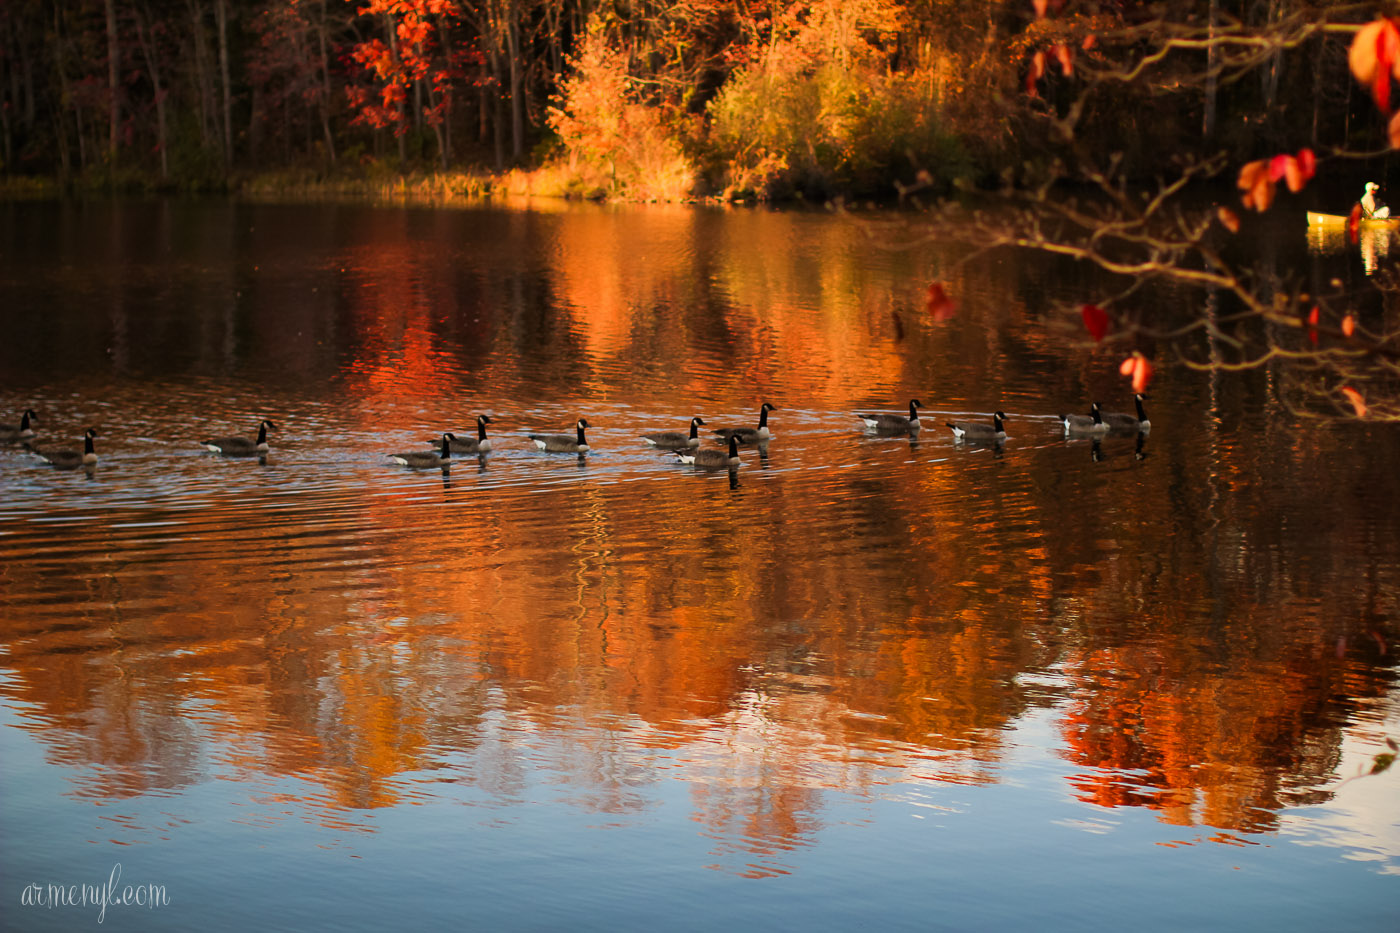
(663, 99)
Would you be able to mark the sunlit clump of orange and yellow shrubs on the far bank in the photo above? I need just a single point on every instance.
(817, 111)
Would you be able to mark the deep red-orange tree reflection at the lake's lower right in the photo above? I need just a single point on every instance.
(1228, 749)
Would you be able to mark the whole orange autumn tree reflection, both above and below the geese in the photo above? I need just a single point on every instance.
(600, 631)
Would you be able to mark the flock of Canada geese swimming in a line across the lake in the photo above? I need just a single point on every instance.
(687, 445)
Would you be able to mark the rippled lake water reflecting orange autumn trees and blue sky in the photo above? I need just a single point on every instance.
(857, 682)
